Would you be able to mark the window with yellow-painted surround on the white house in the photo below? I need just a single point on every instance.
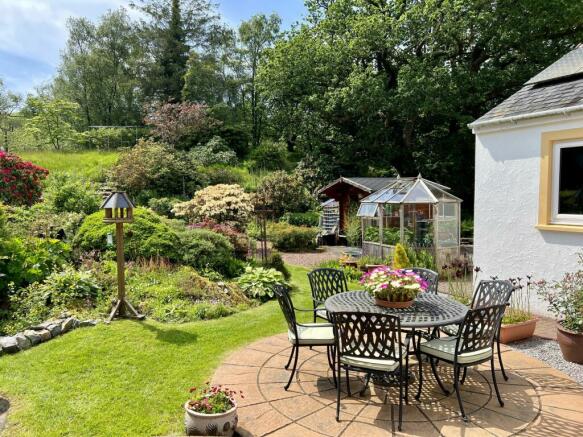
(561, 181)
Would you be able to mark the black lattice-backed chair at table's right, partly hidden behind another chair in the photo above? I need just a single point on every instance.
(488, 293)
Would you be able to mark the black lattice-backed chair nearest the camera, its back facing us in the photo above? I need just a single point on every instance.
(370, 343)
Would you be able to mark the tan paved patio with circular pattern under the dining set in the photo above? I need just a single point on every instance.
(540, 401)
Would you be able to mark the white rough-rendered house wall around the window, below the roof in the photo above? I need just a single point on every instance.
(506, 242)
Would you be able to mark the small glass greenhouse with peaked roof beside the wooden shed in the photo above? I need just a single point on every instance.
(415, 211)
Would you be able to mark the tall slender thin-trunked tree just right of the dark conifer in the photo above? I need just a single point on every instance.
(256, 35)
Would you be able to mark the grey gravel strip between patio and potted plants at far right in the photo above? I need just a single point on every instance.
(549, 352)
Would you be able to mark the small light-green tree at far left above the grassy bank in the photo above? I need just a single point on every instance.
(52, 122)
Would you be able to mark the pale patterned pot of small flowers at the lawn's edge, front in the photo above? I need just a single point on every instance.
(211, 410)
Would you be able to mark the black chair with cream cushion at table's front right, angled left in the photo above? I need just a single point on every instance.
(473, 345)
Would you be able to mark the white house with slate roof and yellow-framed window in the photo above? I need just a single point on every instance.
(528, 208)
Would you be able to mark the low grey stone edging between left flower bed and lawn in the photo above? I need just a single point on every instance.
(41, 333)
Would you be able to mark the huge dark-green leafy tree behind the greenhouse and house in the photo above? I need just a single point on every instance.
(381, 84)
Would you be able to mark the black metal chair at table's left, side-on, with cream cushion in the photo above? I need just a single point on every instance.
(303, 334)
